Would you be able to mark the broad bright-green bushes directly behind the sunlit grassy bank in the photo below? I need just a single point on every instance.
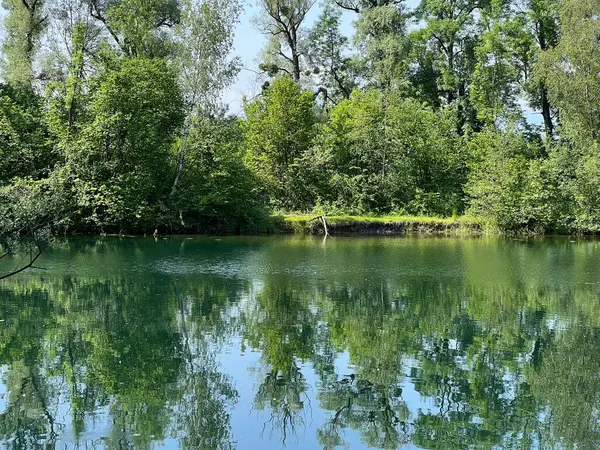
(392, 154)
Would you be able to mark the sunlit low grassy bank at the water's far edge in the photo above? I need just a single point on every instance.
(391, 224)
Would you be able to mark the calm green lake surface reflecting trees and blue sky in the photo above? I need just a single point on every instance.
(300, 343)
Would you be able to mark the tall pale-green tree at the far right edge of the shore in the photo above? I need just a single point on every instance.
(570, 71)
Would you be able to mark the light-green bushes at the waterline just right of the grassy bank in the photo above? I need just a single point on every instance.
(515, 190)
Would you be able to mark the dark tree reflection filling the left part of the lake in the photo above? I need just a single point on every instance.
(90, 350)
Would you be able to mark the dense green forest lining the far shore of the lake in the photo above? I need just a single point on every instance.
(112, 119)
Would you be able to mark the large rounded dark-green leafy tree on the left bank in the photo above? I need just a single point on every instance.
(120, 158)
